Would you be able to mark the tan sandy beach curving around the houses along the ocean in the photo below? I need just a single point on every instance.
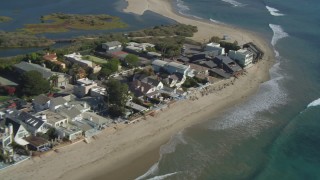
(135, 147)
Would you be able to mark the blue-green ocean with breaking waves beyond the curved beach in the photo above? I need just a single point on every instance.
(275, 134)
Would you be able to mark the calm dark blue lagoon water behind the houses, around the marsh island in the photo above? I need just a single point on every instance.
(29, 12)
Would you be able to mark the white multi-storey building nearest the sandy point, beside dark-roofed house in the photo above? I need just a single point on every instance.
(243, 57)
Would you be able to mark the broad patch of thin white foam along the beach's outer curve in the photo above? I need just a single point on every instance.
(270, 95)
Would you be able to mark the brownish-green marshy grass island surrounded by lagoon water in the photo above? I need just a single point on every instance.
(59, 22)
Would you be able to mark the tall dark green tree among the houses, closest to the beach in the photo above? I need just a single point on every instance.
(117, 97)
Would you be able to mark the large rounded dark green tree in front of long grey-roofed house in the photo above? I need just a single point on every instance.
(34, 84)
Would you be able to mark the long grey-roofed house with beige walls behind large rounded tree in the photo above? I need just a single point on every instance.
(61, 79)
